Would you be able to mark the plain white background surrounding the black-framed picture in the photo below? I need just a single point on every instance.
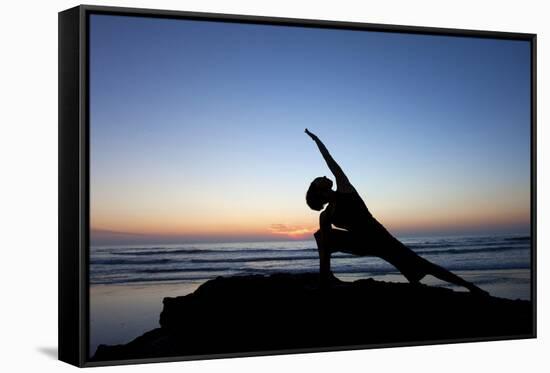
(28, 190)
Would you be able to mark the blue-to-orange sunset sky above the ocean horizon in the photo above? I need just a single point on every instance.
(197, 129)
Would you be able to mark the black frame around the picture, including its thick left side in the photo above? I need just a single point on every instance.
(74, 177)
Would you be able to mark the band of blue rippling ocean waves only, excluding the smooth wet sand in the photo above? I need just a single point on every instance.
(204, 261)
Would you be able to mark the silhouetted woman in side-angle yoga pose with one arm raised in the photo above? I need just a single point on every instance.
(362, 234)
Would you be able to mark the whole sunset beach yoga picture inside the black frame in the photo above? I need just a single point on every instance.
(259, 188)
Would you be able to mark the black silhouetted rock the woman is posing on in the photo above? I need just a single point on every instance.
(250, 314)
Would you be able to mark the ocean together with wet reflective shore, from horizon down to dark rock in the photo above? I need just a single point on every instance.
(128, 283)
